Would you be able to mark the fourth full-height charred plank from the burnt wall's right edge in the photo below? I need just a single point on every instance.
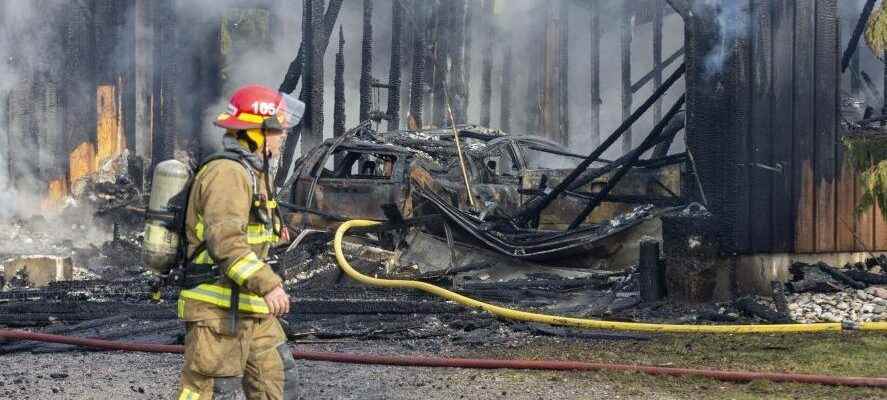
(761, 148)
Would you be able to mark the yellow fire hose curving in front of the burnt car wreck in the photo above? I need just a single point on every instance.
(578, 322)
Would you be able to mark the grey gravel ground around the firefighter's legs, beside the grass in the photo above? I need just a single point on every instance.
(95, 375)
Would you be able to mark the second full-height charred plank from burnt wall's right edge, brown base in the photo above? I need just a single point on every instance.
(802, 165)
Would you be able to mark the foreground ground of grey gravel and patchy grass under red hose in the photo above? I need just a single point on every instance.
(93, 375)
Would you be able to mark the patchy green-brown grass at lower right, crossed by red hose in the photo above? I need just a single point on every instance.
(849, 354)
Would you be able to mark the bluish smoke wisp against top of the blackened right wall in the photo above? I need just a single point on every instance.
(732, 21)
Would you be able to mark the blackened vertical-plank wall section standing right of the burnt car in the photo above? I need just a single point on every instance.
(763, 91)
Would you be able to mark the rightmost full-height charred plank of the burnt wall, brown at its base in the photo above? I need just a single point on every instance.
(826, 101)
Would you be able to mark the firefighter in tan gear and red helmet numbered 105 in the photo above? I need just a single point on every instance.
(231, 297)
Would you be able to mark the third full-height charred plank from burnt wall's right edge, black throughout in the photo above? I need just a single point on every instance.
(783, 126)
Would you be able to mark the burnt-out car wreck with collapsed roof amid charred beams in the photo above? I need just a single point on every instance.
(366, 175)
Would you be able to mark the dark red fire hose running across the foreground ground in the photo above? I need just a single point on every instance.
(729, 376)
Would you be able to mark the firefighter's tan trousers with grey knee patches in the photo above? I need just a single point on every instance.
(257, 359)
